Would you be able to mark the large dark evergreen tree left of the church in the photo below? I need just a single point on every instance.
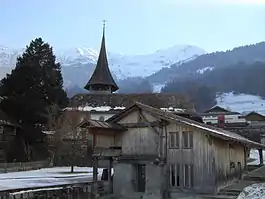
(35, 84)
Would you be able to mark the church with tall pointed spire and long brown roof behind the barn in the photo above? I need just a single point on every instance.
(102, 102)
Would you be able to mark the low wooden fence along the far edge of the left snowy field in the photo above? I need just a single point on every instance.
(23, 166)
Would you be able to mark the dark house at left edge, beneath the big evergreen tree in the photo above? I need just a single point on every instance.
(8, 130)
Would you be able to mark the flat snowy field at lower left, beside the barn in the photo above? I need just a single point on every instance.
(45, 177)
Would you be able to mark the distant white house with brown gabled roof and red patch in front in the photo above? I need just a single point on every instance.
(222, 117)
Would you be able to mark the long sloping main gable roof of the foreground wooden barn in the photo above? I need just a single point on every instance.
(214, 131)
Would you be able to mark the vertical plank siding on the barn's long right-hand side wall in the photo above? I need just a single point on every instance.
(211, 159)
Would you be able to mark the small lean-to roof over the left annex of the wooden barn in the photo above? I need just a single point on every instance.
(100, 124)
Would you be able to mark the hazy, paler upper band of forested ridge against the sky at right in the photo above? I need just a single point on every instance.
(246, 54)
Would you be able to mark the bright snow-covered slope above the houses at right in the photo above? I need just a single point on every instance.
(241, 102)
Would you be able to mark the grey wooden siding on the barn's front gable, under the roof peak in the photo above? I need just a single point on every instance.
(138, 141)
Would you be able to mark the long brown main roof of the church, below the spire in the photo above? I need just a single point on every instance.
(115, 100)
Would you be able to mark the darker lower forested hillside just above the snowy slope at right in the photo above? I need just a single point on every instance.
(240, 77)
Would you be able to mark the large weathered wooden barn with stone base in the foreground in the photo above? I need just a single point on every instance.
(157, 152)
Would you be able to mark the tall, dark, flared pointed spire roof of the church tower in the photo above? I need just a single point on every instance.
(102, 74)
